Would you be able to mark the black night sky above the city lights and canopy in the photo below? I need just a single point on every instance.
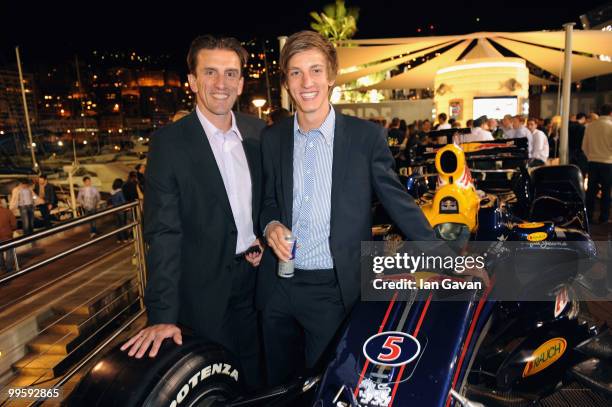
(52, 32)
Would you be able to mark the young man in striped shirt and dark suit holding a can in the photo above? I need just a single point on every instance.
(320, 169)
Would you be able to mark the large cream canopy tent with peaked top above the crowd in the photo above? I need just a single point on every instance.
(591, 54)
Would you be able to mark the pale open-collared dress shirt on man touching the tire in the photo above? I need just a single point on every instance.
(234, 168)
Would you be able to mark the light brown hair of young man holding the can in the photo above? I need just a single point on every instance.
(305, 40)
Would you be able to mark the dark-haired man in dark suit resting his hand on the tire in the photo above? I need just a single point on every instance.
(203, 195)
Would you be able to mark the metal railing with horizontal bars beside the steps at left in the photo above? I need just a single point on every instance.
(133, 223)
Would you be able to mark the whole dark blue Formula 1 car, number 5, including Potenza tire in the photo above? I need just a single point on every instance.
(421, 348)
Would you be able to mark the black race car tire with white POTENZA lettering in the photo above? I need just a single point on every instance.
(195, 373)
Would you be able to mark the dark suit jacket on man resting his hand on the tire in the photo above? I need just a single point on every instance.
(189, 226)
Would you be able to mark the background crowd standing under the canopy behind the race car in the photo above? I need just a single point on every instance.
(589, 143)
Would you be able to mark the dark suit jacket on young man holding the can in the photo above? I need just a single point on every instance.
(362, 164)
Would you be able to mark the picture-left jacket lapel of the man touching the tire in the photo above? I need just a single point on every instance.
(204, 163)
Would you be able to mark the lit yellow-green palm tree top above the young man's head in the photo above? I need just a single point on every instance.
(336, 22)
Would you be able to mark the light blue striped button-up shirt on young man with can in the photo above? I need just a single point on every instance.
(313, 154)
